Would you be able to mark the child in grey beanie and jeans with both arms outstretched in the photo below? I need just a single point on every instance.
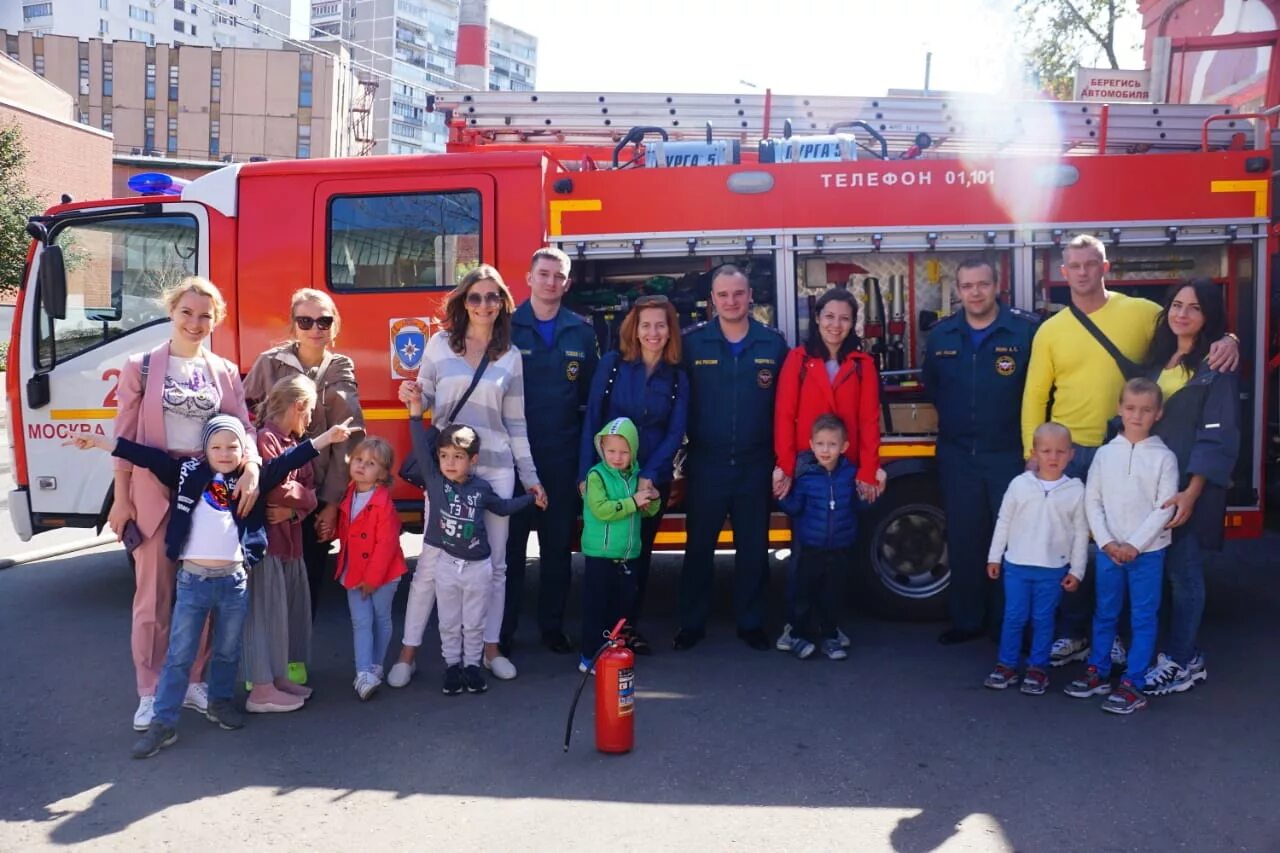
(214, 549)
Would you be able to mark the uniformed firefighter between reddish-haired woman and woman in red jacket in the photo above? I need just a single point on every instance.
(733, 363)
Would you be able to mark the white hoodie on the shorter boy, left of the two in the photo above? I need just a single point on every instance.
(1045, 530)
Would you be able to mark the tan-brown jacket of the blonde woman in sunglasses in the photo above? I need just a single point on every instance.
(337, 400)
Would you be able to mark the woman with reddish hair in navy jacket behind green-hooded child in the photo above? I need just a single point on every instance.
(646, 384)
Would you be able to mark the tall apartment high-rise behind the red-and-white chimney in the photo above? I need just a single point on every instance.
(412, 44)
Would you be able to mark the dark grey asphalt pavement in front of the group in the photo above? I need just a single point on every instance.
(898, 749)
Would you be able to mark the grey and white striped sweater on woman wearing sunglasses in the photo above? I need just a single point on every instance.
(496, 409)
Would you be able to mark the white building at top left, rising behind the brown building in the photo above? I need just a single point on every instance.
(214, 24)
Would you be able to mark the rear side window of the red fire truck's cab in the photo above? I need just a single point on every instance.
(414, 241)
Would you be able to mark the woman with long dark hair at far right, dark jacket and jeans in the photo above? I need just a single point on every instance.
(1201, 426)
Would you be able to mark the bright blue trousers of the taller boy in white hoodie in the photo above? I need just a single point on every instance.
(1144, 580)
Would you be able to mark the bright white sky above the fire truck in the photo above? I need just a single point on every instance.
(793, 47)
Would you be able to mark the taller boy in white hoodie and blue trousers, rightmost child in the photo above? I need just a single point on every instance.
(1131, 482)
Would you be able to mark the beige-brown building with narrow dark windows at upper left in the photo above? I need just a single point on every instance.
(203, 103)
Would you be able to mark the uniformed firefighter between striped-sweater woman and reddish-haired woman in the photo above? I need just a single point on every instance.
(560, 357)
